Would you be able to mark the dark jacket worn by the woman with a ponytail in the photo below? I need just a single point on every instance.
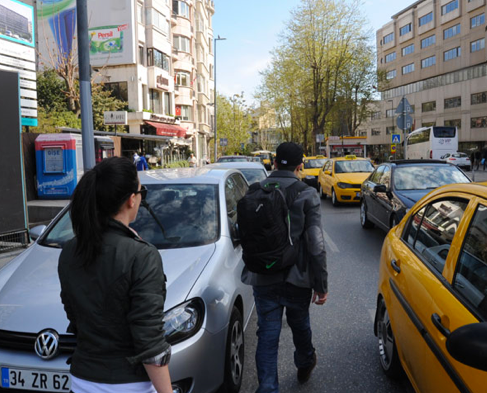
(115, 307)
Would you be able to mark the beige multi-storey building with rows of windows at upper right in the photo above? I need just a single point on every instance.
(433, 53)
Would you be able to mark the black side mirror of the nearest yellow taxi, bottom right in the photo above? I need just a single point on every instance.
(468, 345)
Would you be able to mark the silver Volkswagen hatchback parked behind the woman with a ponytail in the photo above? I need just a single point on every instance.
(191, 220)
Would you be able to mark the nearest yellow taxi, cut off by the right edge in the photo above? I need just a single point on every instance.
(431, 317)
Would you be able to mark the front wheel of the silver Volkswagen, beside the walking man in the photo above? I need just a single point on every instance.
(234, 354)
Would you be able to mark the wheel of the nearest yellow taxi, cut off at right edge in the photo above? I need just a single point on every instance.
(389, 359)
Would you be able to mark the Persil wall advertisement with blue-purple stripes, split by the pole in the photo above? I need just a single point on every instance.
(111, 30)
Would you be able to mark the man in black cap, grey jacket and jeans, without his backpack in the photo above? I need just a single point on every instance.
(293, 288)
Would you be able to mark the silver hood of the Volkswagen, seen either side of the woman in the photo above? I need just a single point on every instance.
(30, 288)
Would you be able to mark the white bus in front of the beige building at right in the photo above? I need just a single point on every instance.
(431, 142)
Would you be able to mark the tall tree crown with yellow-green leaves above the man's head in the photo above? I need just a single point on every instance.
(322, 74)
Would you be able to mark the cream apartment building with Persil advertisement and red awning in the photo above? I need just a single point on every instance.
(155, 54)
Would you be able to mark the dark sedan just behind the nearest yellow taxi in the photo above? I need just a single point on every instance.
(390, 191)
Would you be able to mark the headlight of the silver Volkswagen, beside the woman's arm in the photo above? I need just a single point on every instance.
(184, 321)
